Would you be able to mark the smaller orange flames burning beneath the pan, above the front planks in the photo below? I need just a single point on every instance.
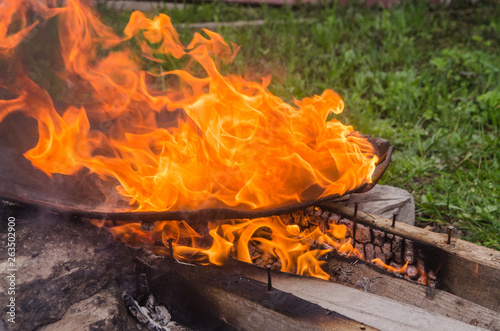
(267, 240)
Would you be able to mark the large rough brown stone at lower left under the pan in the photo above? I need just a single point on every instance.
(67, 276)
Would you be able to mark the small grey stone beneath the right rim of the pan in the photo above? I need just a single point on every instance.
(384, 200)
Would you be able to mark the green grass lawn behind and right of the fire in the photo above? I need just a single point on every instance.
(424, 77)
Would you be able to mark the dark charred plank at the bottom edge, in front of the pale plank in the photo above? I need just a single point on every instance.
(240, 301)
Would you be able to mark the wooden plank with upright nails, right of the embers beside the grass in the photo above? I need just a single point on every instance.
(469, 271)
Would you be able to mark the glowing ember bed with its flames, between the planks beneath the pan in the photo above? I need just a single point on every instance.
(297, 243)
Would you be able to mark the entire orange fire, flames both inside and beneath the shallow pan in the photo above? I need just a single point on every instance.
(184, 138)
